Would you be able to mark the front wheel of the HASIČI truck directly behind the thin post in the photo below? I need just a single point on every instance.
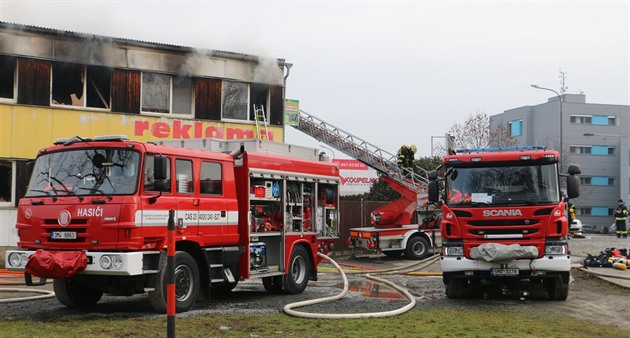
(186, 284)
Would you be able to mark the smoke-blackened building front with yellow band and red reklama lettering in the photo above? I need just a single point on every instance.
(58, 84)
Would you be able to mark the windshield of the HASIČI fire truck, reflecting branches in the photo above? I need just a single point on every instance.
(84, 172)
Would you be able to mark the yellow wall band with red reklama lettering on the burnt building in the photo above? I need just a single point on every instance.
(24, 130)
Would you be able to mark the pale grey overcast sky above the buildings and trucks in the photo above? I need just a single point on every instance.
(390, 72)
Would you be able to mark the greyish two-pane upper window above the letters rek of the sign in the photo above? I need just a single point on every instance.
(156, 94)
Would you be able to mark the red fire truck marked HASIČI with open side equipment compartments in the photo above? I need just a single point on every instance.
(95, 217)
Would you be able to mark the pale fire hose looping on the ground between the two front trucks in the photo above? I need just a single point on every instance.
(289, 308)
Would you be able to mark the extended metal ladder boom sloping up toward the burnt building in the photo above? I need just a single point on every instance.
(373, 156)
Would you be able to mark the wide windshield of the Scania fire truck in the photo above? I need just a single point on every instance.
(502, 185)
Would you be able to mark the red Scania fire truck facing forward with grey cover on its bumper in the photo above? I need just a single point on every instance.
(504, 218)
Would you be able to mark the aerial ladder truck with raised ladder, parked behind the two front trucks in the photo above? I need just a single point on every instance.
(391, 233)
